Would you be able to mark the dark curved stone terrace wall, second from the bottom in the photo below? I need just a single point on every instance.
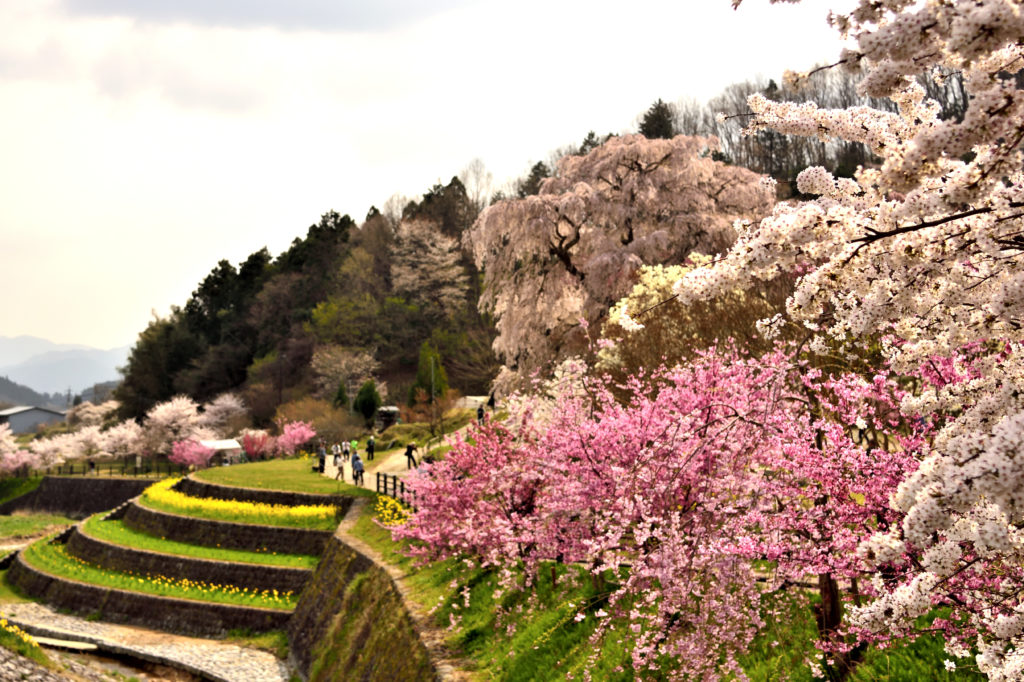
(254, 577)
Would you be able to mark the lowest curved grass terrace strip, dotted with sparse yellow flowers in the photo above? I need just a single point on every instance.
(55, 560)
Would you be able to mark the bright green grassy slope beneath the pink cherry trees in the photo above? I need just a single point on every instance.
(547, 644)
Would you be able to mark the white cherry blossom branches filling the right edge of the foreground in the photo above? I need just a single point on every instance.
(926, 251)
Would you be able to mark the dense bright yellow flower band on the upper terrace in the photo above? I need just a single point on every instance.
(160, 496)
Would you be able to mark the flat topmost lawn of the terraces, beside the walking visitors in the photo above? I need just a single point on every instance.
(294, 476)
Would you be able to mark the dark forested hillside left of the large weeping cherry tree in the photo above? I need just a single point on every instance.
(347, 303)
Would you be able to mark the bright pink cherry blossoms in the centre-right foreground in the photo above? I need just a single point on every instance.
(674, 483)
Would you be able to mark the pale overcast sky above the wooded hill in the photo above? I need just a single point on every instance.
(144, 141)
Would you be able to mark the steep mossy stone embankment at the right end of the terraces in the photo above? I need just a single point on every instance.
(351, 624)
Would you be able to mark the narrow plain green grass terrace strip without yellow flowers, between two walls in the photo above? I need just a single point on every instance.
(117, 533)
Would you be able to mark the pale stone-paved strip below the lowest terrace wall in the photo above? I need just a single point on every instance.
(212, 660)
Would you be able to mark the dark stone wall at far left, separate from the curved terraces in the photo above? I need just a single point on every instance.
(77, 497)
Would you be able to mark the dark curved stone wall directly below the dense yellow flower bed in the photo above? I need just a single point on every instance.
(225, 534)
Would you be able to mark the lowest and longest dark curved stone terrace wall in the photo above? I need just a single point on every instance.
(179, 616)
